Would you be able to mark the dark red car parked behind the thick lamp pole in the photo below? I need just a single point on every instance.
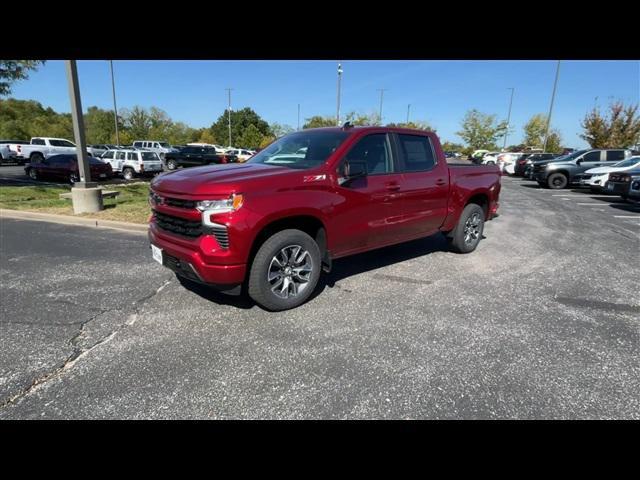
(65, 168)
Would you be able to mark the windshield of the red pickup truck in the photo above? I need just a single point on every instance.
(301, 150)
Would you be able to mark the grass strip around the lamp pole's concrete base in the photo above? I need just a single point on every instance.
(131, 205)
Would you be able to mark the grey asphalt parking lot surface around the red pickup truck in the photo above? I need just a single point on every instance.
(542, 321)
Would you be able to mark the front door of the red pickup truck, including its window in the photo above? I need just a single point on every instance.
(371, 208)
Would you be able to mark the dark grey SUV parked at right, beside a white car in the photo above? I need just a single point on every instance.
(562, 172)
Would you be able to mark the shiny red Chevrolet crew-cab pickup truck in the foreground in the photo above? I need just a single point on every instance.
(310, 197)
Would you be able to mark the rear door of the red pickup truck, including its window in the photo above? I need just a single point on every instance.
(424, 185)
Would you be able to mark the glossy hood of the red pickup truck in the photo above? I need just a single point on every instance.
(216, 179)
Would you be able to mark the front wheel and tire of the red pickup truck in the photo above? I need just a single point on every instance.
(270, 262)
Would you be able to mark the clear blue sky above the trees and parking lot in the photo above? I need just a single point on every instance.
(440, 92)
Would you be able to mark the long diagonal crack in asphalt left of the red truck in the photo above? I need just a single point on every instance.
(78, 353)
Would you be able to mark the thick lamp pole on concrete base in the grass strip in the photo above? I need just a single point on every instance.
(85, 195)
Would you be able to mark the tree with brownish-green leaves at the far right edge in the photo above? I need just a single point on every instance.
(618, 129)
